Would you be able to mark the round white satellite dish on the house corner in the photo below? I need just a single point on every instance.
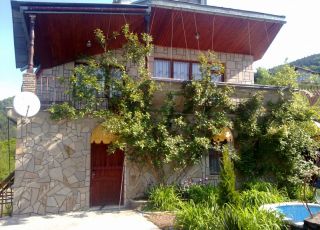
(26, 104)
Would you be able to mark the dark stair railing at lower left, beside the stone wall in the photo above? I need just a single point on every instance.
(6, 195)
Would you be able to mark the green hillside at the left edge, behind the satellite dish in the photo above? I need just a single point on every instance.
(4, 121)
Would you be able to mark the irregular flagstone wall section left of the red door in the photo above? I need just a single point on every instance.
(52, 165)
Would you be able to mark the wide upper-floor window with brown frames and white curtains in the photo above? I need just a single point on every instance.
(182, 70)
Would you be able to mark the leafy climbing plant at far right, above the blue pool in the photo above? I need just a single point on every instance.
(275, 141)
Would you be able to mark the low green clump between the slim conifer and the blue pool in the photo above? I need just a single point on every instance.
(255, 198)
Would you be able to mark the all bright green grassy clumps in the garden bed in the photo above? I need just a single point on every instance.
(200, 211)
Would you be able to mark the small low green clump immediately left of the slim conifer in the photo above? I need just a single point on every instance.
(202, 194)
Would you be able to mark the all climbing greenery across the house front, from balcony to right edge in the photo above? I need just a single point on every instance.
(272, 140)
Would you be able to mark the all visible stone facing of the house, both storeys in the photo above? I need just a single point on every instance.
(53, 158)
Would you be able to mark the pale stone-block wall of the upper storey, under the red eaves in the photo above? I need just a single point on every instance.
(50, 89)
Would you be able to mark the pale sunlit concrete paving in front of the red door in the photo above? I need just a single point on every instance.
(84, 220)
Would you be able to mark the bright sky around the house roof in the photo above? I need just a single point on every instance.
(298, 38)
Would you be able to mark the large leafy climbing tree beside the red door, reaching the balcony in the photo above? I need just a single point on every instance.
(167, 140)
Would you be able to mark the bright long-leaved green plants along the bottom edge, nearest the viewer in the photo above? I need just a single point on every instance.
(228, 217)
